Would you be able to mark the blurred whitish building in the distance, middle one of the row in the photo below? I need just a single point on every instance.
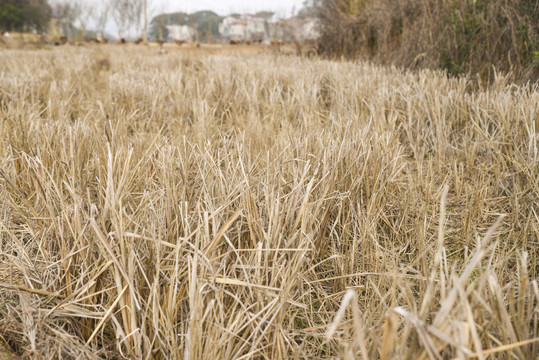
(243, 28)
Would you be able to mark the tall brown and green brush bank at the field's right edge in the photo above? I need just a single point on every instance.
(459, 36)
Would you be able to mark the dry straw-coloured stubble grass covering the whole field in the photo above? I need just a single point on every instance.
(263, 206)
